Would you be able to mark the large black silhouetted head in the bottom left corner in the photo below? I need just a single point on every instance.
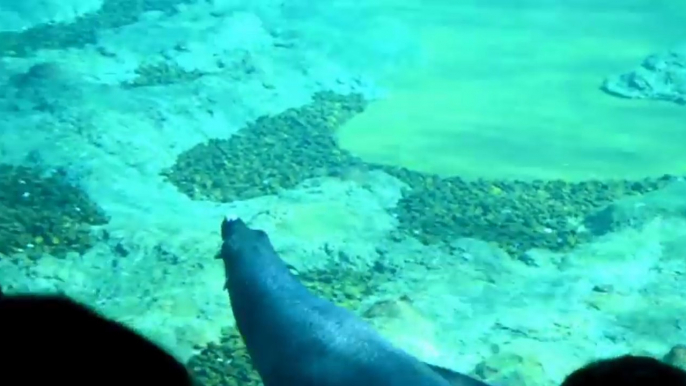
(47, 339)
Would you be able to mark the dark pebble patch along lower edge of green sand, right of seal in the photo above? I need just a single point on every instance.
(517, 215)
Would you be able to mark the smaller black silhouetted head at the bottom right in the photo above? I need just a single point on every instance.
(627, 370)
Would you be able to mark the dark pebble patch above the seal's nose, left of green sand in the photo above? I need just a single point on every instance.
(271, 154)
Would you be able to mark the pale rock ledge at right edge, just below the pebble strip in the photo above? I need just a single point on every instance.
(636, 211)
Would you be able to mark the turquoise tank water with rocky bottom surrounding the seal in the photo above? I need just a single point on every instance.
(496, 186)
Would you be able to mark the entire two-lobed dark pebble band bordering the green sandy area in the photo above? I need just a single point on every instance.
(279, 152)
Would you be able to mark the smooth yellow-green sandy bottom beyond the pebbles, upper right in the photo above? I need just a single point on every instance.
(510, 89)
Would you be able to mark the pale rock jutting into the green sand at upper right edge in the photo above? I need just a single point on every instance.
(659, 77)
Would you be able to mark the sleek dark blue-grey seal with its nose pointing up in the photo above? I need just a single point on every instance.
(296, 338)
